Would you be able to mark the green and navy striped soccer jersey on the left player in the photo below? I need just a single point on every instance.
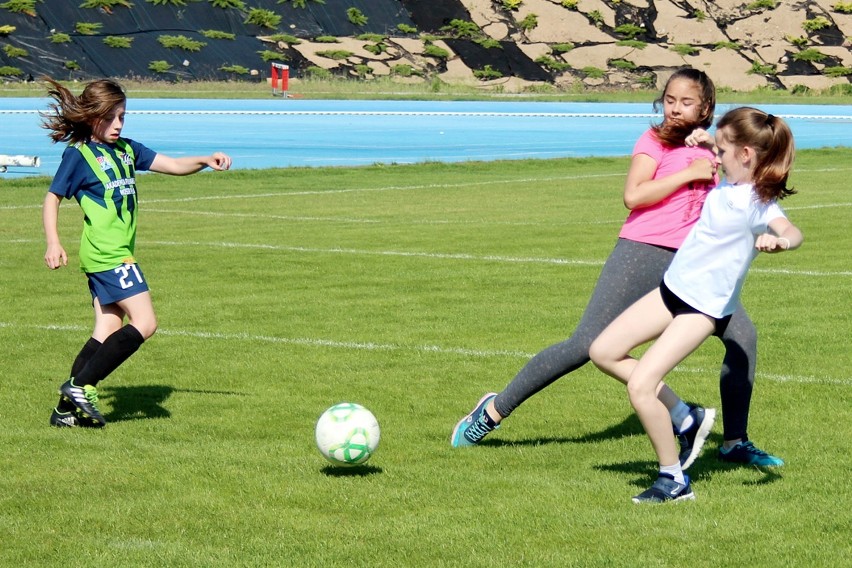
(102, 178)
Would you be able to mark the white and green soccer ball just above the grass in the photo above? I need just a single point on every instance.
(347, 434)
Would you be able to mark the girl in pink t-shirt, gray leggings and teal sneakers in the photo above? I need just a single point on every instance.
(665, 189)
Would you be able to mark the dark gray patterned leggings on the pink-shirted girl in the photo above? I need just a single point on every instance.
(631, 271)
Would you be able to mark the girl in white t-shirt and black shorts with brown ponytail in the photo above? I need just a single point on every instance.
(701, 288)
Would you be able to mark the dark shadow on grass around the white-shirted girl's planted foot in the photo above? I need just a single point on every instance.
(705, 466)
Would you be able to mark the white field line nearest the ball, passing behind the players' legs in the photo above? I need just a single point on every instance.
(390, 347)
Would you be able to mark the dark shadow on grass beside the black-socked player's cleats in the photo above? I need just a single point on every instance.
(144, 402)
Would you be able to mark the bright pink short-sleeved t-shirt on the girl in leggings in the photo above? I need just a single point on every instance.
(667, 223)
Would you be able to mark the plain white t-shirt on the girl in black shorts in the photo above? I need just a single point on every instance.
(709, 269)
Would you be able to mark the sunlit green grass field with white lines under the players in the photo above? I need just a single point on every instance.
(412, 290)
